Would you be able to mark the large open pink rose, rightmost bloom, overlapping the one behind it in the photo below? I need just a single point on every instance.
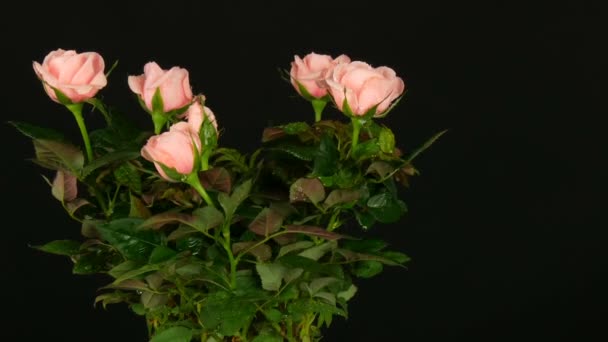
(364, 87)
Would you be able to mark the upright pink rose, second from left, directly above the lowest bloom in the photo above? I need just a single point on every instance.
(174, 86)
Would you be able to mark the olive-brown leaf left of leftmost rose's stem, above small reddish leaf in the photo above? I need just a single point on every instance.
(58, 155)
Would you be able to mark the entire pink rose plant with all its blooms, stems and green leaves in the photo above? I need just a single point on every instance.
(208, 243)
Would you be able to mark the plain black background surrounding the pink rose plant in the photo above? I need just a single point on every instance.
(505, 229)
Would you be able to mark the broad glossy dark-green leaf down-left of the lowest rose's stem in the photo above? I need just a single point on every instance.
(132, 243)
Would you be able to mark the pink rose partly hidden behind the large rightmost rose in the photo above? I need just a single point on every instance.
(311, 69)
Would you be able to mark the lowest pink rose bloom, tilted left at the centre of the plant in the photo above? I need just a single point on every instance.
(174, 149)
